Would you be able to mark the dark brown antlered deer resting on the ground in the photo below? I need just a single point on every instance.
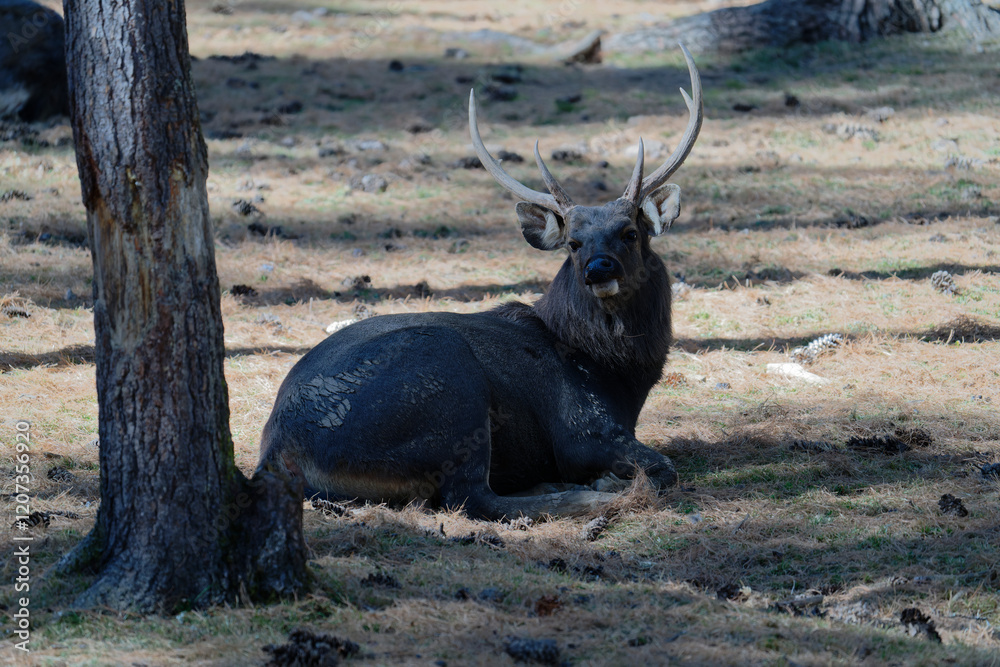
(477, 410)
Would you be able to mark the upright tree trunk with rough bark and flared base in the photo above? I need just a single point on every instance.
(178, 525)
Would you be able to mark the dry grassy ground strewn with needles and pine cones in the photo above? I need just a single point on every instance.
(804, 216)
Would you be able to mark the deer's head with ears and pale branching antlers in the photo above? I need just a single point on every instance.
(607, 244)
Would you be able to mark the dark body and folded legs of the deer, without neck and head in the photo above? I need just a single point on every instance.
(458, 410)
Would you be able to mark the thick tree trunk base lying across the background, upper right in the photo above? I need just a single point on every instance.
(780, 23)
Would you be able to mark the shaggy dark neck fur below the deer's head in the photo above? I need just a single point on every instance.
(628, 334)
